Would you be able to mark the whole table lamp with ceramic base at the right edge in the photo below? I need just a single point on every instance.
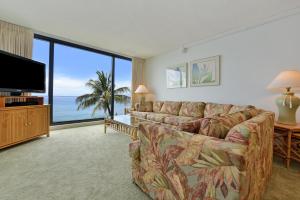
(287, 103)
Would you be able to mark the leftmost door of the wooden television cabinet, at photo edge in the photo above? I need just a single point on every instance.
(5, 128)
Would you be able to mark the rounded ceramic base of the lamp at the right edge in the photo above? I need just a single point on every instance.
(287, 106)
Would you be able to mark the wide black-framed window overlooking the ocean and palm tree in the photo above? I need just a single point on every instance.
(80, 80)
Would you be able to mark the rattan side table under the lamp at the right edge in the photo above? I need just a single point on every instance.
(287, 142)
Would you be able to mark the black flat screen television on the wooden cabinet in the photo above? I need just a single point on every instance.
(19, 74)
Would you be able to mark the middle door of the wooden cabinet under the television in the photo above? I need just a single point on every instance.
(18, 124)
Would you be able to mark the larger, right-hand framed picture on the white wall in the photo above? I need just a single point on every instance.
(205, 72)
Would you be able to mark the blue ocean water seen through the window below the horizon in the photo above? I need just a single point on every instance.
(65, 109)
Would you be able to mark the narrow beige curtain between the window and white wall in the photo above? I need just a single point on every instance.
(138, 77)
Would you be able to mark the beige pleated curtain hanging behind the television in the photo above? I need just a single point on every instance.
(15, 39)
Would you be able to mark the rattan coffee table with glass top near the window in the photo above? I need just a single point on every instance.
(125, 124)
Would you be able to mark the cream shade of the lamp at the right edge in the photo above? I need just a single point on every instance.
(286, 79)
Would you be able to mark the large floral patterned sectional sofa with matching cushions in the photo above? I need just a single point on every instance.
(220, 152)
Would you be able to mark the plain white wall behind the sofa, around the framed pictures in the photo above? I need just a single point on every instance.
(249, 62)
